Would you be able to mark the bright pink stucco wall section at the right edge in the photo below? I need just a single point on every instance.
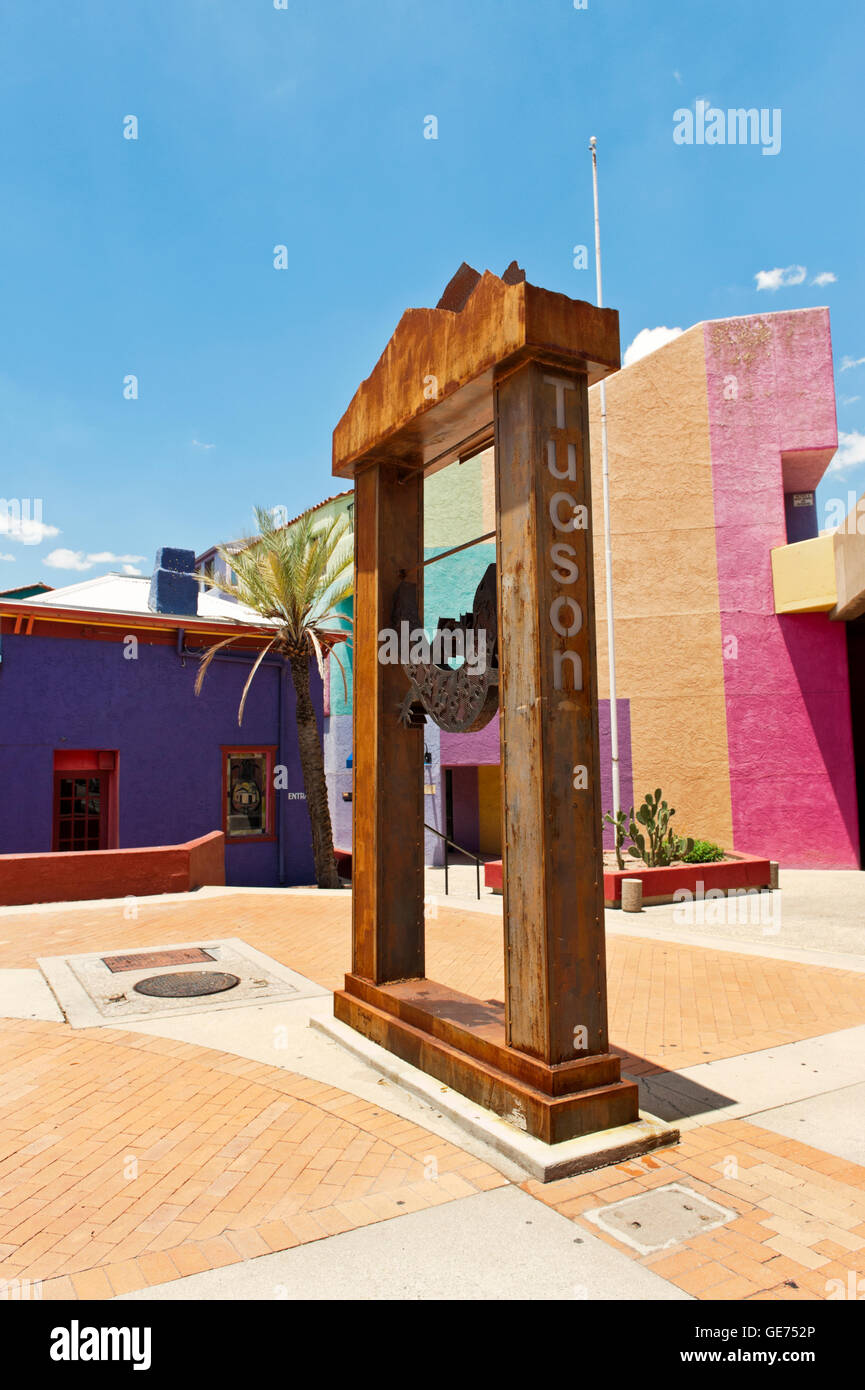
(773, 429)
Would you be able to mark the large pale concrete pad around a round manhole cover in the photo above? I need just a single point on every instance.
(190, 978)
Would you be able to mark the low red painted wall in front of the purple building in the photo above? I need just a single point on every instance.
(113, 874)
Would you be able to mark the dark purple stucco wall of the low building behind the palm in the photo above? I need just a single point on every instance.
(70, 694)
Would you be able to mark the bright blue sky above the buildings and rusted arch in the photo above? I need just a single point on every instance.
(305, 127)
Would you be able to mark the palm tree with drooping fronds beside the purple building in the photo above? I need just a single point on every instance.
(294, 578)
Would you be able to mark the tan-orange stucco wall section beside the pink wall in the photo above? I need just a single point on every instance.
(670, 660)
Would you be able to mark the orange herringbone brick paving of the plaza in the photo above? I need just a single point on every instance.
(133, 1160)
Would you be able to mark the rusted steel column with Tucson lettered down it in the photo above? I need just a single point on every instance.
(553, 850)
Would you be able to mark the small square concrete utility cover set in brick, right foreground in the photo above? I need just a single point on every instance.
(660, 1218)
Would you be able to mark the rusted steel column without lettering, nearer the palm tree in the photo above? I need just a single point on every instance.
(389, 815)
